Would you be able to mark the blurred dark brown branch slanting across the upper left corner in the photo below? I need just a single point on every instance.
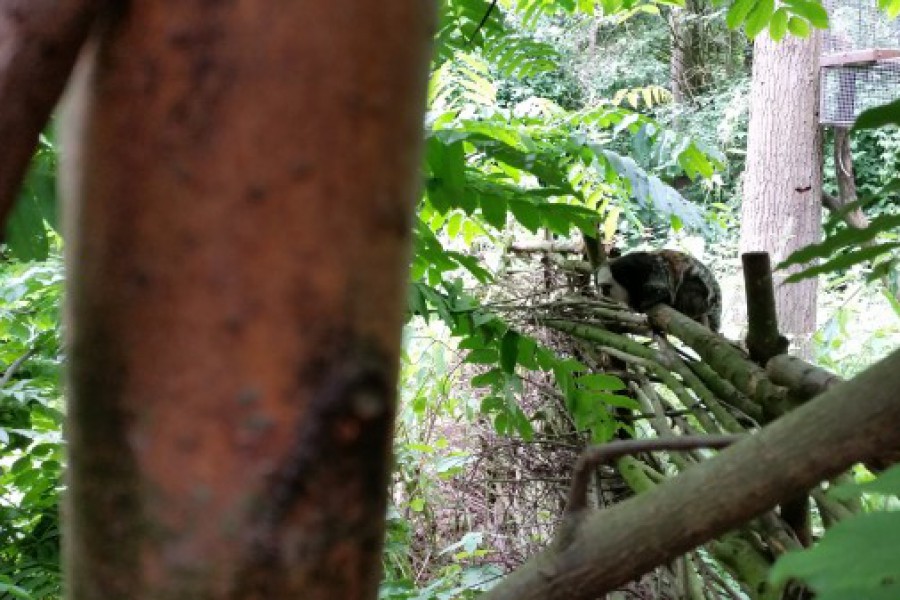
(39, 43)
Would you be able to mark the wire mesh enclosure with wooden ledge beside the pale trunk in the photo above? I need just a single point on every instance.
(860, 64)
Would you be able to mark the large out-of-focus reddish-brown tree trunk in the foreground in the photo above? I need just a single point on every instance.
(240, 180)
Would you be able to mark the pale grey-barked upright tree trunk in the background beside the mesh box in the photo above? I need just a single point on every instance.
(783, 181)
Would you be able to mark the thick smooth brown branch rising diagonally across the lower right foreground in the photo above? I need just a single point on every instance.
(785, 459)
